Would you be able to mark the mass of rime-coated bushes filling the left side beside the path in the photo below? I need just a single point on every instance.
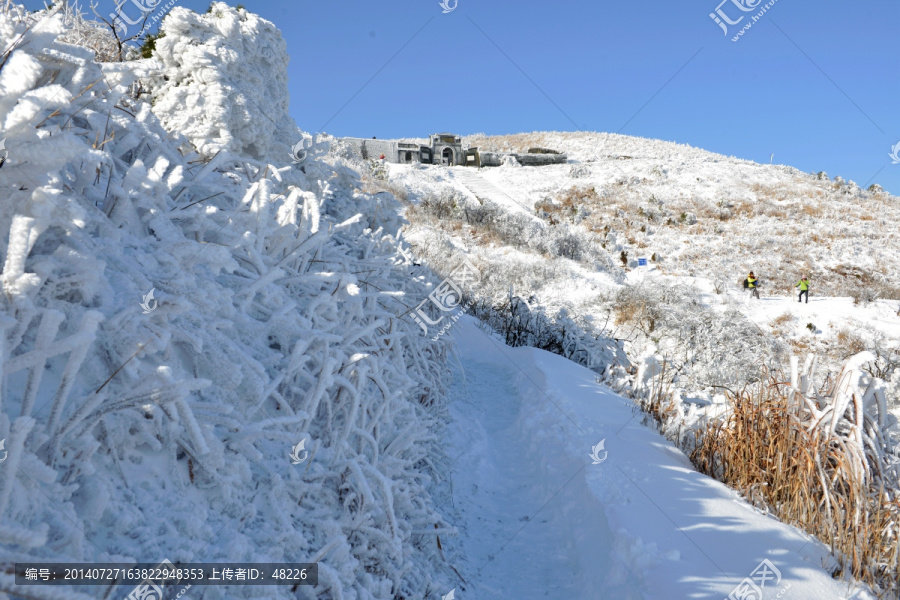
(175, 320)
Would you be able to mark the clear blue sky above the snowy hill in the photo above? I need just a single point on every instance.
(815, 83)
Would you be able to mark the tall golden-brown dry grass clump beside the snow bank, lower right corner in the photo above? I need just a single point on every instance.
(772, 450)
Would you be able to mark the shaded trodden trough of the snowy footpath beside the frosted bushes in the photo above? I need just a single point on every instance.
(503, 479)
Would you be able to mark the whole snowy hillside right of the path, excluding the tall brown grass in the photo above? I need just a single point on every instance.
(692, 336)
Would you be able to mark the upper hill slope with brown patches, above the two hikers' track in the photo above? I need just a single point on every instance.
(709, 215)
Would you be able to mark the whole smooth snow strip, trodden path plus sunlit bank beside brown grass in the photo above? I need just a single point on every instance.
(539, 520)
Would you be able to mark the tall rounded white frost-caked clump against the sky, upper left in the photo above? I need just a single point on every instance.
(225, 84)
